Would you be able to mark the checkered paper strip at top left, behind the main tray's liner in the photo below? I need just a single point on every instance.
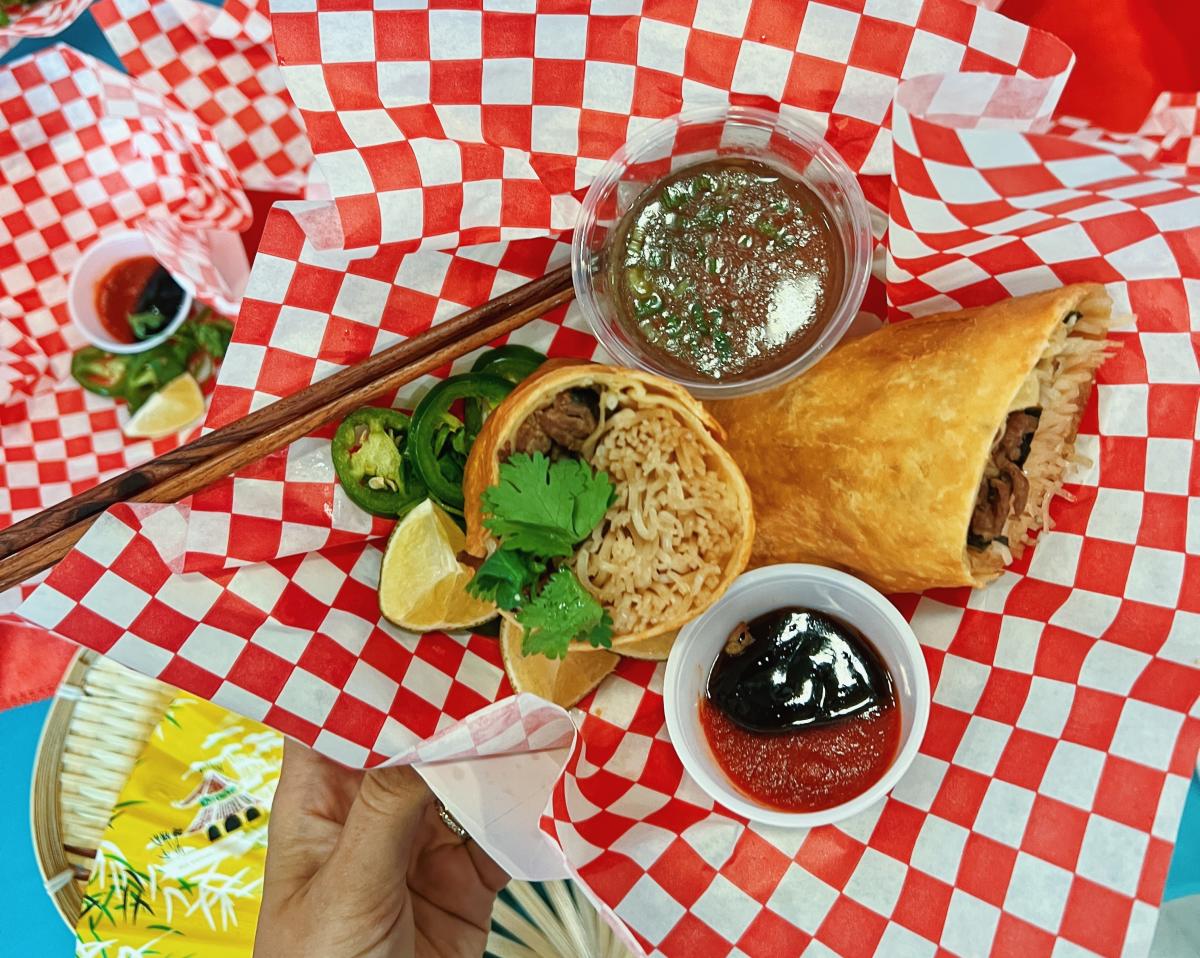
(219, 64)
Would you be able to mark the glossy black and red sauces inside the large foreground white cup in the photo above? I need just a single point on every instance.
(801, 712)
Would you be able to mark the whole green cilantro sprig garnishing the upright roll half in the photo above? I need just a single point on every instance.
(541, 512)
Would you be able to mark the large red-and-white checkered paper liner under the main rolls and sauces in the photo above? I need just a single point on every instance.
(1041, 813)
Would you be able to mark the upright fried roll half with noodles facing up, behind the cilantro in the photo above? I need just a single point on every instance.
(680, 525)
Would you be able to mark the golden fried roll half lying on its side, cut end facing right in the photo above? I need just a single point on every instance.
(928, 453)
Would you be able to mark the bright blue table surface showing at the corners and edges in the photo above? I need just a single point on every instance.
(41, 931)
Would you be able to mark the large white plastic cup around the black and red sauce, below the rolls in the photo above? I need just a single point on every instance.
(839, 595)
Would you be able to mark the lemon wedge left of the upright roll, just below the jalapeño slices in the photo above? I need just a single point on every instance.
(423, 586)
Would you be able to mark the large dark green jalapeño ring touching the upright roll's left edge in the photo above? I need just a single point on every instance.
(429, 445)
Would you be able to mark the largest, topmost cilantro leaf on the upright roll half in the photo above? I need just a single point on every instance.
(547, 508)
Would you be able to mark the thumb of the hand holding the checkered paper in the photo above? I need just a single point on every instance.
(376, 843)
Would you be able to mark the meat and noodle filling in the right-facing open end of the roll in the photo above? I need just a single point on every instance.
(1036, 444)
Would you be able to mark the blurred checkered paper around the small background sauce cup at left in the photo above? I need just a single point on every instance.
(83, 151)
